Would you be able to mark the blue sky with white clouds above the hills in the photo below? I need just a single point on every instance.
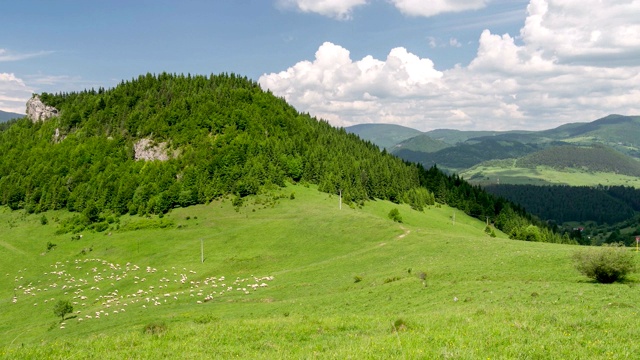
(464, 64)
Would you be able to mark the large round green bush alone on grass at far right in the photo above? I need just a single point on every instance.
(606, 264)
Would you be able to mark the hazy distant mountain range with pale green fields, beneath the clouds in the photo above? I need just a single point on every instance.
(607, 145)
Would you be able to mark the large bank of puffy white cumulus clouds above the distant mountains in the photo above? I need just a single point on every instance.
(536, 80)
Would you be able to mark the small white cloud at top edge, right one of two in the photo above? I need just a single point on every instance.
(435, 7)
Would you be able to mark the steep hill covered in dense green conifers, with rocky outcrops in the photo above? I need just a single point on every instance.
(225, 136)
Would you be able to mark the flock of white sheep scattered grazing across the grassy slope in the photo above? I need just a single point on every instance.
(80, 282)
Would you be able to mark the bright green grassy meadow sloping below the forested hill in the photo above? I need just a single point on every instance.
(290, 275)
